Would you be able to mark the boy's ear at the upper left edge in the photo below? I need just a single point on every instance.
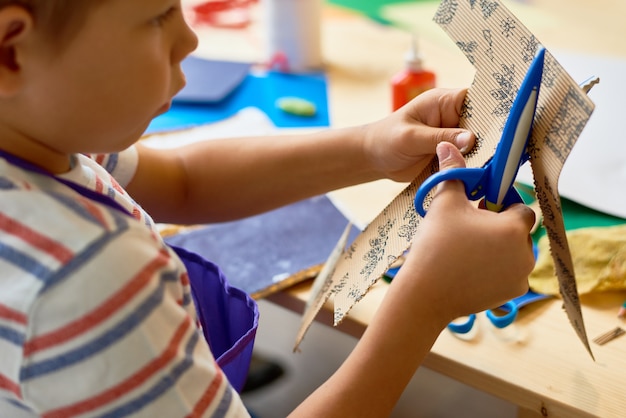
(15, 24)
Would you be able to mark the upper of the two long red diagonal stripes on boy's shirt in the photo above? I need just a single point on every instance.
(102, 312)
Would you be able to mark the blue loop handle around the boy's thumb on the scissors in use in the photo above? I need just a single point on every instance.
(471, 178)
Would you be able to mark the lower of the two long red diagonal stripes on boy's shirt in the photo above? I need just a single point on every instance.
(129, 384)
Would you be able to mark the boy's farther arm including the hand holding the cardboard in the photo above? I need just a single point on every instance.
(227, 179)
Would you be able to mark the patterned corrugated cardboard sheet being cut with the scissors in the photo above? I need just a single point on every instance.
(501, 49)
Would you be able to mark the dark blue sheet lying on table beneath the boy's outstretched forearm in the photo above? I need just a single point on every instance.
(257, 252)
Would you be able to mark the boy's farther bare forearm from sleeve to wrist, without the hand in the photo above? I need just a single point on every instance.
(232, 178)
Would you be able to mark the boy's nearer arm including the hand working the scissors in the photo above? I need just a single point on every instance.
(443, 277)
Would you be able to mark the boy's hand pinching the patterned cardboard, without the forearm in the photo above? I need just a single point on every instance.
(402, 144)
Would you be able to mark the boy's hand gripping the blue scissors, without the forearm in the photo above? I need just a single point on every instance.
(477, 259)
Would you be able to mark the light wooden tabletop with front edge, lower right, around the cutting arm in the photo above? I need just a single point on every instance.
(540, 365)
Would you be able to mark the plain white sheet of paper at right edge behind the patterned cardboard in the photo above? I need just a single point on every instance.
(595, 172)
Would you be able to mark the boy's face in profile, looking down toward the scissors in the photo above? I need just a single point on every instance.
(99, 92)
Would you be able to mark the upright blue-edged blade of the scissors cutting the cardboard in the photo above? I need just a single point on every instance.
(511, 151)
